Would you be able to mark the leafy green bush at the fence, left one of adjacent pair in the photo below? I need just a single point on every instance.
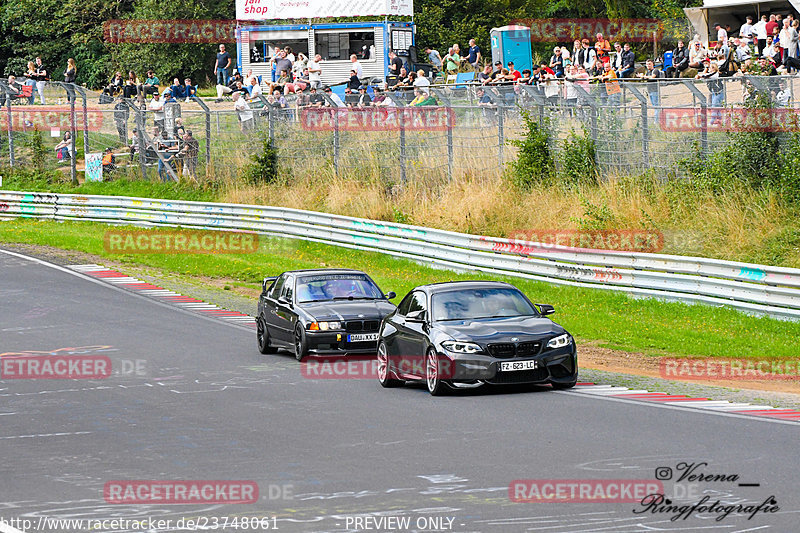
(535, 163)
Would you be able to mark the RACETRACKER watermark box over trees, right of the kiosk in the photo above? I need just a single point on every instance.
(568, 30)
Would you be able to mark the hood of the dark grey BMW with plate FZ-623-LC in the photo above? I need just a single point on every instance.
(500, 329)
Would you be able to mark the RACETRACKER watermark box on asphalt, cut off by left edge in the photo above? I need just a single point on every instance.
(55, 367)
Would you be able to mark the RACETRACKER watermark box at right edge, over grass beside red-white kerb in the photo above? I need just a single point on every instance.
(744, 369)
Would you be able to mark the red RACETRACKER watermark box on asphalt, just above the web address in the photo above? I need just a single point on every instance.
(180, 492)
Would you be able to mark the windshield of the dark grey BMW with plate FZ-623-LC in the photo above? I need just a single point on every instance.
(480, 303)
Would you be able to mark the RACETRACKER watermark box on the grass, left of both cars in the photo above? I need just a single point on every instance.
(179, 242)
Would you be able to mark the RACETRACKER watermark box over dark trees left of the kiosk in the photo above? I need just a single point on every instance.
(169, 31)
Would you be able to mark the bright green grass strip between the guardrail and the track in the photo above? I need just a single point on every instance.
(612, 319)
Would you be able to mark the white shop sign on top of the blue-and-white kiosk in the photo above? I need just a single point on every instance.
(304, 9)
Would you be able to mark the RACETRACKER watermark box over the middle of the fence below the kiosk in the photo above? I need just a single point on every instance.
(377, 119)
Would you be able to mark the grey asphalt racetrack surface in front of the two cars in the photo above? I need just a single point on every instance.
(190, 398)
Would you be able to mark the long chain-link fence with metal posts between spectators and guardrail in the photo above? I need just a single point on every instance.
(635, 125)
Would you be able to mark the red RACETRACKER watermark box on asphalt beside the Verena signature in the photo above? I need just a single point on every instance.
(582, 490)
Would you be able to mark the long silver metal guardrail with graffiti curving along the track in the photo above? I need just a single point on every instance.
(758, 289)
